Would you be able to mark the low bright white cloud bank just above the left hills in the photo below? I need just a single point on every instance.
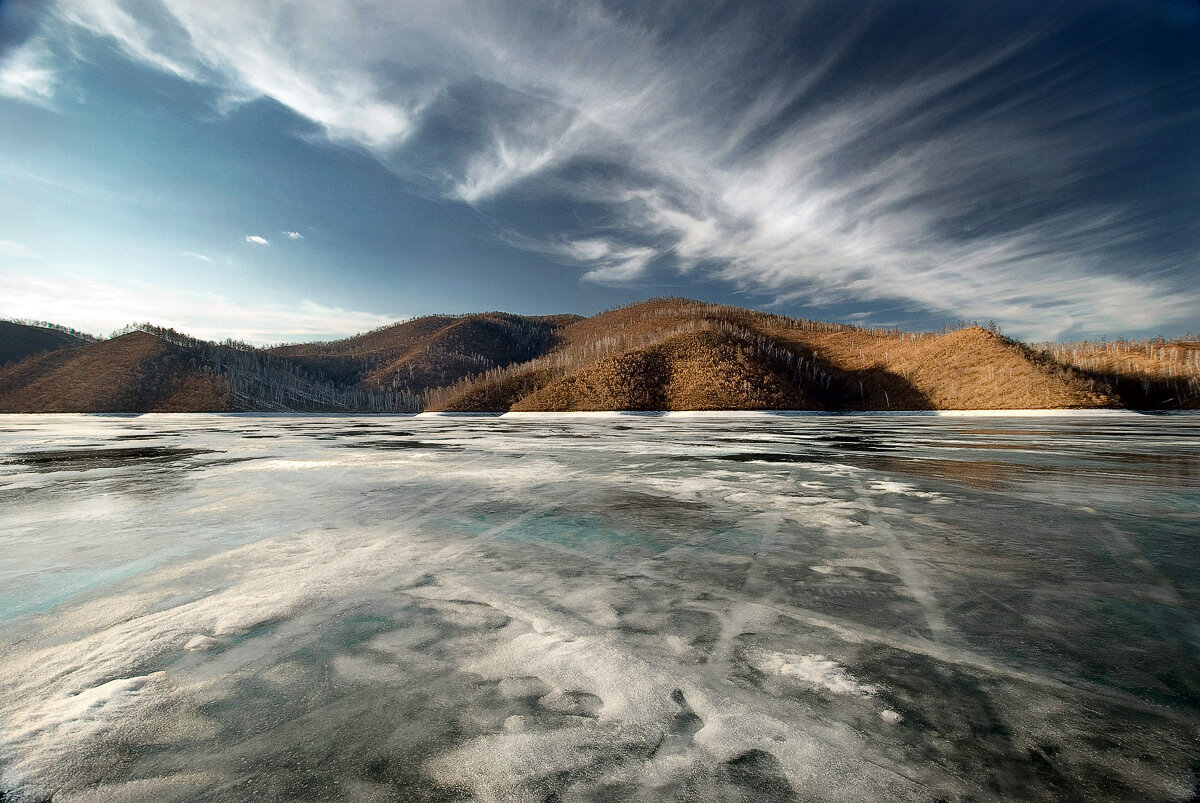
(94, 304)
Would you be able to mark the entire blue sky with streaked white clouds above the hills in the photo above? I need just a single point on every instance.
(281, 171)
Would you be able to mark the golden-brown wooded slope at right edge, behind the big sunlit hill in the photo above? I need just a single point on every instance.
(1144, 375)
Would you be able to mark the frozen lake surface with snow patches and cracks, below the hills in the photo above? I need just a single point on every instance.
(757, 608)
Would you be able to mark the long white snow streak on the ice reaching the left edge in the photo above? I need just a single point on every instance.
(62, 696)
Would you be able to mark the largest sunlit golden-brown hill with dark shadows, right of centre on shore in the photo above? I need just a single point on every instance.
(693, 356)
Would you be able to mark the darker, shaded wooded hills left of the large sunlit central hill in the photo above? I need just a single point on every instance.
(146, 368)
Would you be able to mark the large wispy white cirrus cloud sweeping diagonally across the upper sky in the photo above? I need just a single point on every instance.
(801, 212)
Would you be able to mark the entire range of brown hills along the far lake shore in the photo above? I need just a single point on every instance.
(665, 355)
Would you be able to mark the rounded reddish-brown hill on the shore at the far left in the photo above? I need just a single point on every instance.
(136, 373)
